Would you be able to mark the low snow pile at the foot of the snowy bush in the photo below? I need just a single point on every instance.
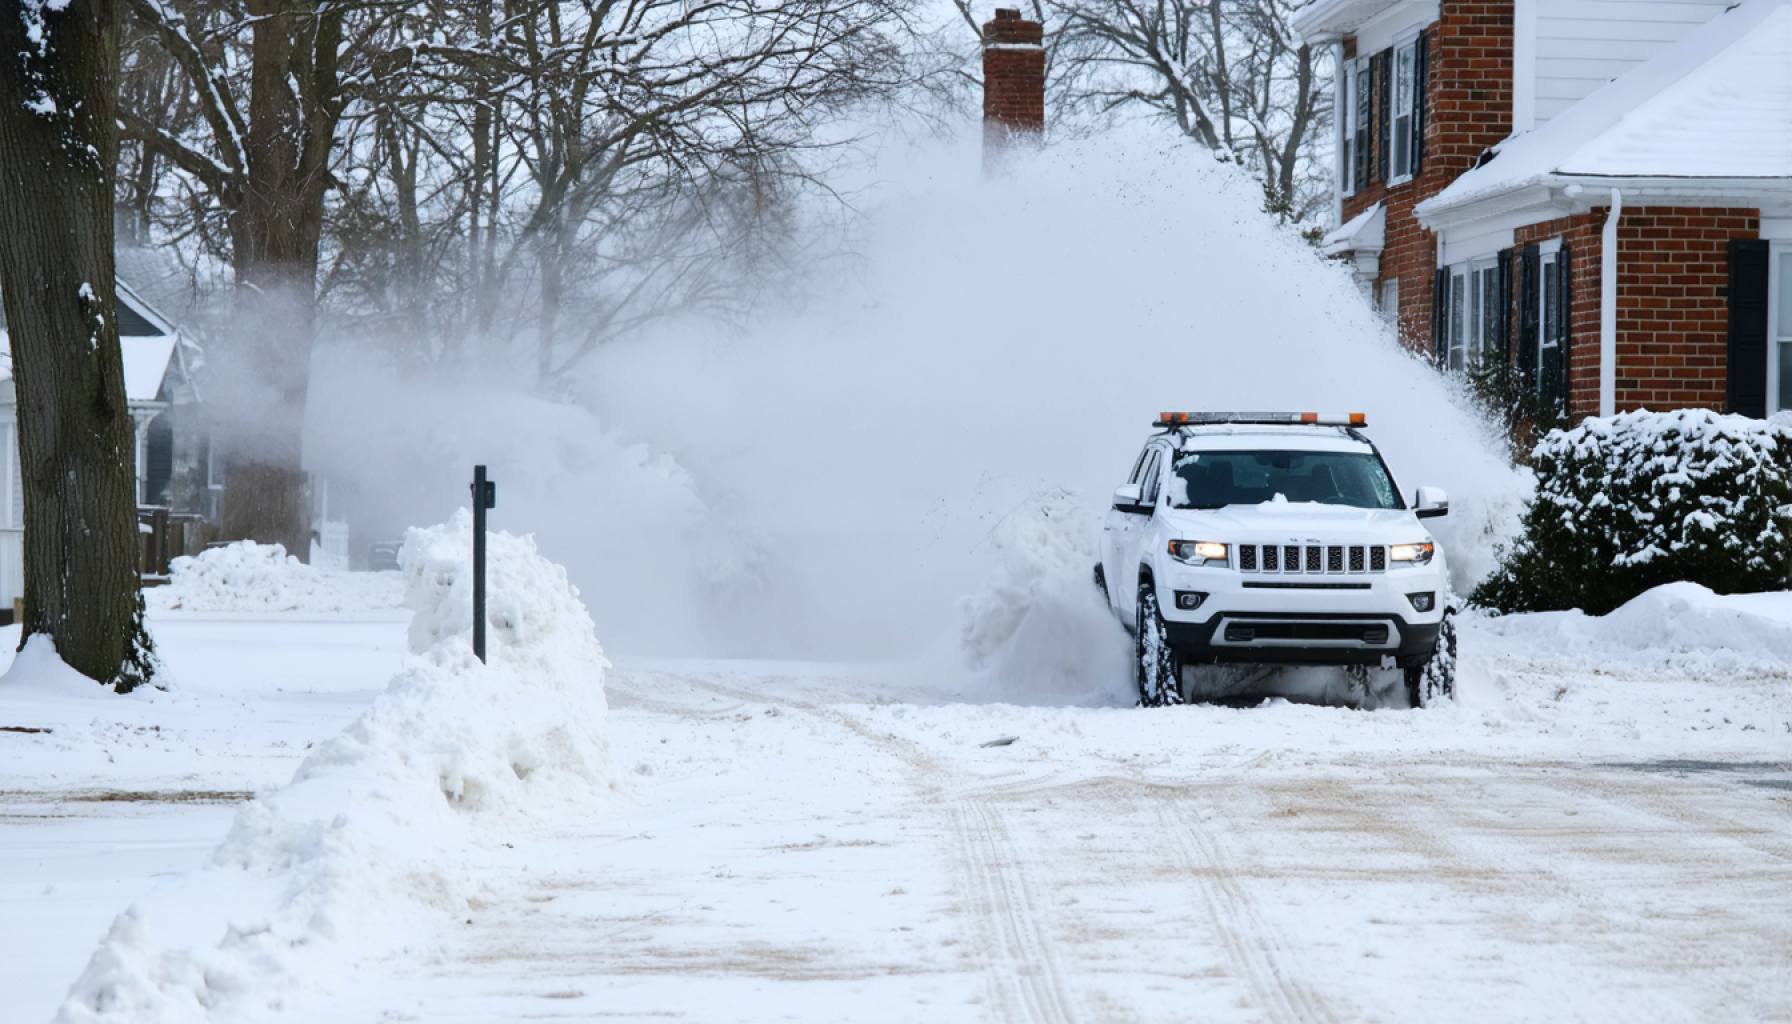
(1678, 629)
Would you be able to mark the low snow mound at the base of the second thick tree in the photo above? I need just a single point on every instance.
(254, 578)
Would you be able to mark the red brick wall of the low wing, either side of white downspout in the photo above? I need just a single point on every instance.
(1673, 304)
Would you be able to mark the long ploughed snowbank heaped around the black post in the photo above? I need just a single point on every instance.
(381, 835)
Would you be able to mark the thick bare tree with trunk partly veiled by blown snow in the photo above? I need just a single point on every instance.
(270, 82)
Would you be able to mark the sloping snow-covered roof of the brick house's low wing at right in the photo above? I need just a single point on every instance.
(1714, 108)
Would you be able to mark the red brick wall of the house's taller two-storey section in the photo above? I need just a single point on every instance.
(1469, 110)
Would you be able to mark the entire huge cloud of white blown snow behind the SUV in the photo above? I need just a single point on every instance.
(859, 473)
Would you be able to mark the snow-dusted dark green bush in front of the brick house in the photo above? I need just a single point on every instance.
(1642, 499)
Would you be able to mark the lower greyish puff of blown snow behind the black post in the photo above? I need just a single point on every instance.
(625, 519)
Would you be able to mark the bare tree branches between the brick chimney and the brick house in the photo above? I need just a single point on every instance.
(1227, 73)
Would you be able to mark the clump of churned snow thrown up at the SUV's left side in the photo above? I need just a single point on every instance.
(1042, 632)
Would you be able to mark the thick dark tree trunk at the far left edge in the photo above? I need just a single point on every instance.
(58, 159)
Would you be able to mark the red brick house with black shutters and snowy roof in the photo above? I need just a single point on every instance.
(1599, 191)
